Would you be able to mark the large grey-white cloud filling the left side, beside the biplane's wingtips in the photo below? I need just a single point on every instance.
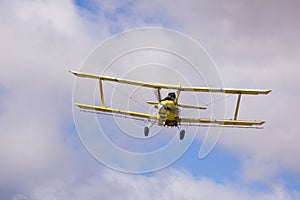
(40, 41)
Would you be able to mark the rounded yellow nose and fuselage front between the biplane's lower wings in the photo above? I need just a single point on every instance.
(167, 113)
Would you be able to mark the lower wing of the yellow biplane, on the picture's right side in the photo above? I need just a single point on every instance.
(221, 122)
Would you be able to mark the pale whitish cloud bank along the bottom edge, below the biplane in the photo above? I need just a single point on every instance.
(166, 184)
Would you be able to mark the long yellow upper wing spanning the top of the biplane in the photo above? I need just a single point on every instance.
(176, 87)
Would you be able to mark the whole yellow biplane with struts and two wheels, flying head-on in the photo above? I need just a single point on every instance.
(167, 114)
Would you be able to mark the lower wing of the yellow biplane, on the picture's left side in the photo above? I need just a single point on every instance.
(116, 111)
